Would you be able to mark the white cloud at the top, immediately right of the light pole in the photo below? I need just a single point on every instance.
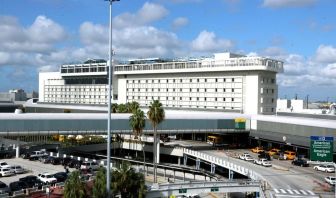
(149, 13)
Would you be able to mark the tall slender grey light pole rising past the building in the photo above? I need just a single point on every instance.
(110, 74)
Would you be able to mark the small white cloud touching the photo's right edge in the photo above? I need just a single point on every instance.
(326, 54)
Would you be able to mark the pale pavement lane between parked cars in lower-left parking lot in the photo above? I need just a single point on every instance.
(32, 167)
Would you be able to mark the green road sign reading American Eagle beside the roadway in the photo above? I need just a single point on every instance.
(321, 148)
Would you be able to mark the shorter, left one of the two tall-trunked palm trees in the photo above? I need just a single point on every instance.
(138, 123)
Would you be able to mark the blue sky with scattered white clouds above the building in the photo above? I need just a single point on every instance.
(39, 35)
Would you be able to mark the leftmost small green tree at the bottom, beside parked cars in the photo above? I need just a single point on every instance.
(74, 187)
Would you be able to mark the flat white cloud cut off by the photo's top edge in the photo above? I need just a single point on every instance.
(287, 3)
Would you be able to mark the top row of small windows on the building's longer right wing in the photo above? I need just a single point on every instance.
(183, 80)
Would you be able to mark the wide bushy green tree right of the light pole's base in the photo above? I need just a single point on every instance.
(128, 183)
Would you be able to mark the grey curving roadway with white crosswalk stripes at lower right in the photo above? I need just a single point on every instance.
(282, 175)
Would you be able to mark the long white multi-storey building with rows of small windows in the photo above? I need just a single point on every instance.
(226, 82)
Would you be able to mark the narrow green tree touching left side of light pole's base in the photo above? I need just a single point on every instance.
(99, 184)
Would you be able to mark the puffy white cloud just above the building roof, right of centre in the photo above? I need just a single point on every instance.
(209, 42)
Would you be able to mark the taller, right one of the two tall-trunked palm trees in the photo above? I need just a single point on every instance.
(156, 115)
